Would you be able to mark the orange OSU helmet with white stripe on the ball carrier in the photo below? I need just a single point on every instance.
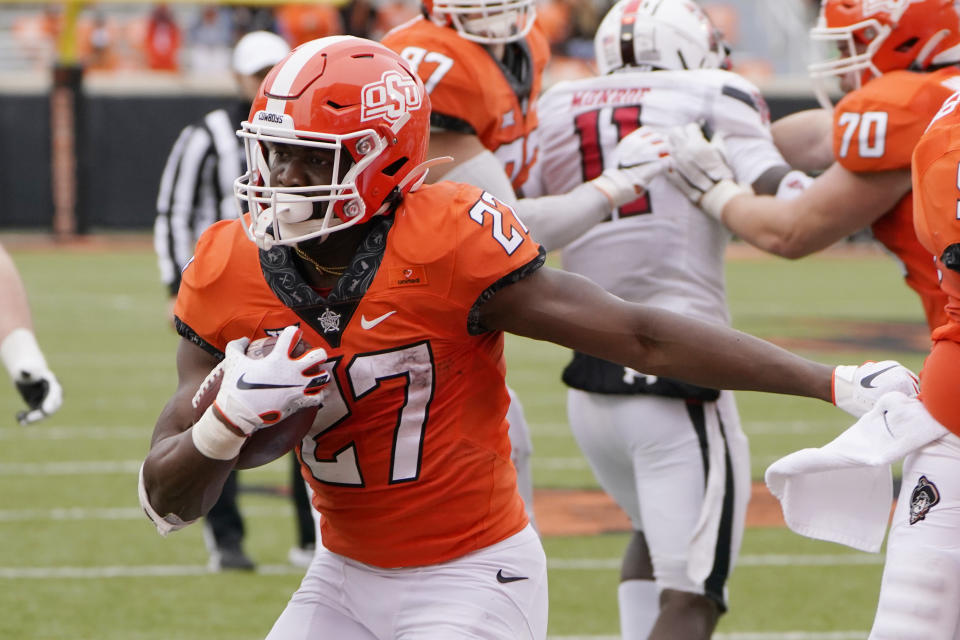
(353, 98)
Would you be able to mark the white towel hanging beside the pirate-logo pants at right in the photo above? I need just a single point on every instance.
(842, 492)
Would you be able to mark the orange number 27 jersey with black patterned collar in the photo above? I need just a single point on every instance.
(409, 458)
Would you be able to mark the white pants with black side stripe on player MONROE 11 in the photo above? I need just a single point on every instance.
(680, 471)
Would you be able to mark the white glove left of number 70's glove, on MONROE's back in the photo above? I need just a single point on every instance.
(639, 158)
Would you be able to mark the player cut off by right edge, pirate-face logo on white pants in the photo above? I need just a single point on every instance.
(921, 578)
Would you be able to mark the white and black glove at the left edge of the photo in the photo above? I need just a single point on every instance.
(28, 368)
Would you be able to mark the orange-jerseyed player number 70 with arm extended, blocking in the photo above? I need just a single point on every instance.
(898, 63)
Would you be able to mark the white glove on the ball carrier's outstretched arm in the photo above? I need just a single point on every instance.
(857, 389)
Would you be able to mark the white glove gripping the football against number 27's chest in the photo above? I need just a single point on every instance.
(256, 393)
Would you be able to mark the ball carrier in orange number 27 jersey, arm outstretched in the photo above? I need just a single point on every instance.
(404, 290)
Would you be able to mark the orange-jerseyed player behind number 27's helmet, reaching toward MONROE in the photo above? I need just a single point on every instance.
(482, 64)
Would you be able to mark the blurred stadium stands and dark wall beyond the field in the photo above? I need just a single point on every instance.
(93, 94)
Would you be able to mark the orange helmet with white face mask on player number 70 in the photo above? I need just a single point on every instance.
(876, 36)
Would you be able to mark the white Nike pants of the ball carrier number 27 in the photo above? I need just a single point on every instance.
(495, 593)
